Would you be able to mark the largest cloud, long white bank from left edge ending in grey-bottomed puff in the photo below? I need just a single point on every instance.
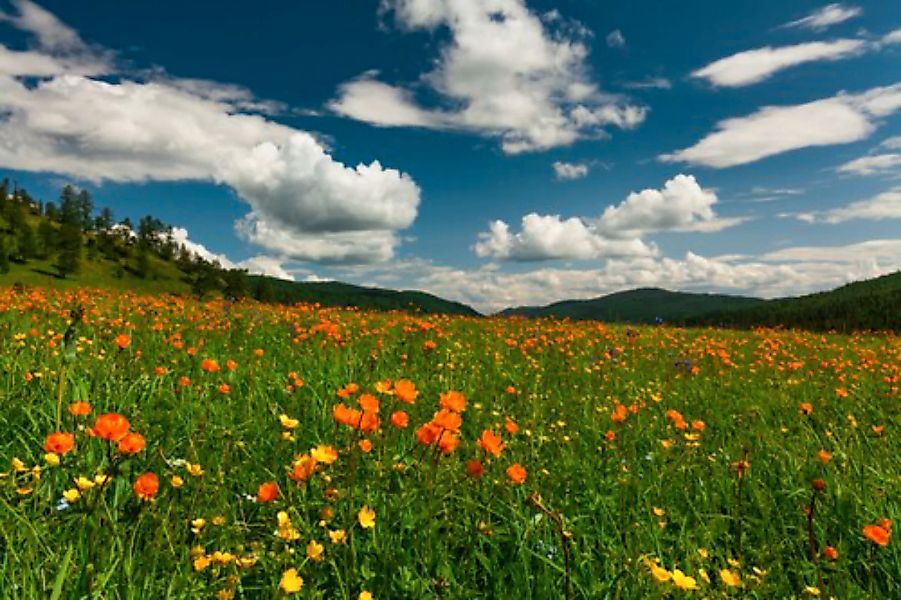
(169, 129)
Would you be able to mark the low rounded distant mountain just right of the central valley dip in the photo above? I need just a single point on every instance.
(642, 305)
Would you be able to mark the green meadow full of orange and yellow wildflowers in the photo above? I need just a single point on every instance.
(157, 446)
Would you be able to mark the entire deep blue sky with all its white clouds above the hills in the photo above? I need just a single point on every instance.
(494, 152)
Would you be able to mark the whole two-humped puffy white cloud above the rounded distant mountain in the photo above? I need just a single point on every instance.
(681, 205)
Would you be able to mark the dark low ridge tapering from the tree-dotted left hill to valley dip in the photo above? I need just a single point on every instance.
(334, 293)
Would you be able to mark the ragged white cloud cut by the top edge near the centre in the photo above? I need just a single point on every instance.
(505, 73)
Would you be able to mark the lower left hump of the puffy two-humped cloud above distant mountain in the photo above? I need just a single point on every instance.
(548, 237)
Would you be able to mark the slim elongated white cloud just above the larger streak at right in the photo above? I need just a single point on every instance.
(753, 66)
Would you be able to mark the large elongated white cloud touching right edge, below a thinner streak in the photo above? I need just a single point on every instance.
(772, 130)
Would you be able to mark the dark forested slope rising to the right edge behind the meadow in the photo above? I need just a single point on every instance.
(869, 304)
